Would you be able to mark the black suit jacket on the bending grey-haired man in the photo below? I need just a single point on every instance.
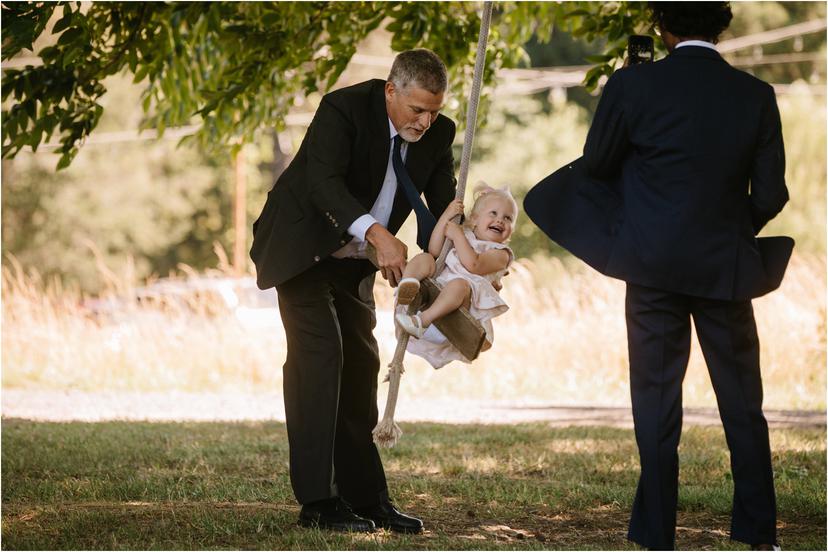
(335, 178)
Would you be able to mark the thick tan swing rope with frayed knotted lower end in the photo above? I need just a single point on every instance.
(387, 431)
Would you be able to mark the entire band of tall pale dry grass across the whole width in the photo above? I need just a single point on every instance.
(562, 342)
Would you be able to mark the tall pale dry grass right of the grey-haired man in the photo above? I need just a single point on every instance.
(564, 342)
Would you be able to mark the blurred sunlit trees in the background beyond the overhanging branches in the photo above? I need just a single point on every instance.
(163, 206)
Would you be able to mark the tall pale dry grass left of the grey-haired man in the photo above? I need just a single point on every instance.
(50, 340)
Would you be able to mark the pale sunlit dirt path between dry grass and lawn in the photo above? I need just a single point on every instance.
(232, 406)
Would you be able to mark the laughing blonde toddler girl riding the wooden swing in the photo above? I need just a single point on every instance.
(479, 257)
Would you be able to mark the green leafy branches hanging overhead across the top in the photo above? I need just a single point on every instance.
(234, 68)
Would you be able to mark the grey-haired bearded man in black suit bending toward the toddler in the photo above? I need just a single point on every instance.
(344, 190)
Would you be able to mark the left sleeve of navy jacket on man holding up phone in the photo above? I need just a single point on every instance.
(607, 142)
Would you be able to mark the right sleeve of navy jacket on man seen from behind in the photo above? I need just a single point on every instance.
(768, 193)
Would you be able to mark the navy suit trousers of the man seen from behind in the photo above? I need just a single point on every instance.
(658, 334)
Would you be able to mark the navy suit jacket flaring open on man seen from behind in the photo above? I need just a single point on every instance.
(683, 165)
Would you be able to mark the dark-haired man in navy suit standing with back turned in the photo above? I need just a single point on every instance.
(683, 166)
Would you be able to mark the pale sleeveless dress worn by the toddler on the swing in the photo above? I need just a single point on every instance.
(485, 304)
